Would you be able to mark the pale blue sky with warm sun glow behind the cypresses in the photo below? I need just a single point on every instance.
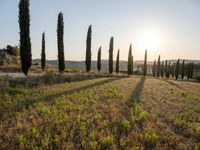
(170, 28)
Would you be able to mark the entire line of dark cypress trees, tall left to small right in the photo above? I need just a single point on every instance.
(159, 69)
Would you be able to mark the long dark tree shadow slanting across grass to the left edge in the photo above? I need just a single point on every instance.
(26, 103)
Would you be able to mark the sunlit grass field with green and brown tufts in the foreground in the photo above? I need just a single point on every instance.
(100, 113)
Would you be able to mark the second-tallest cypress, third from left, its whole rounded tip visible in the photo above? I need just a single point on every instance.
(60, 38)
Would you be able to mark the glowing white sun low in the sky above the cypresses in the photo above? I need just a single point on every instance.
(150, 41)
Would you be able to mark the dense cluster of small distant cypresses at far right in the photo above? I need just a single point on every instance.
(174, 70)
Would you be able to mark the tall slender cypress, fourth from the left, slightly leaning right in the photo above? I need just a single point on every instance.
(88, 49)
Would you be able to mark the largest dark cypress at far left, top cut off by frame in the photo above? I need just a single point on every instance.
(25, 42)
